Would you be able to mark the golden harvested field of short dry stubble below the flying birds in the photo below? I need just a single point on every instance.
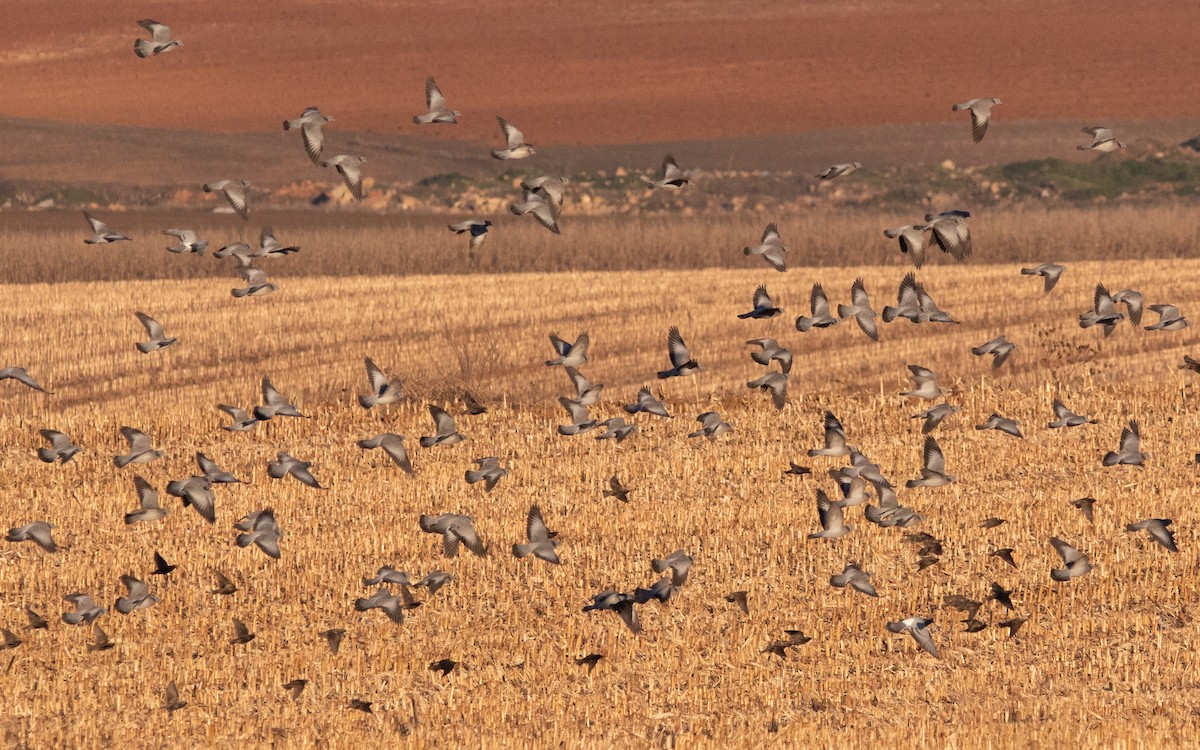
(1105, 659)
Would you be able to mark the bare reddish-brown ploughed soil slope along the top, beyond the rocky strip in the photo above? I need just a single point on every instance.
(573, 73)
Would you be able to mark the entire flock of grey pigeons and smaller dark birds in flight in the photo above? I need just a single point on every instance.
(857, 483)
